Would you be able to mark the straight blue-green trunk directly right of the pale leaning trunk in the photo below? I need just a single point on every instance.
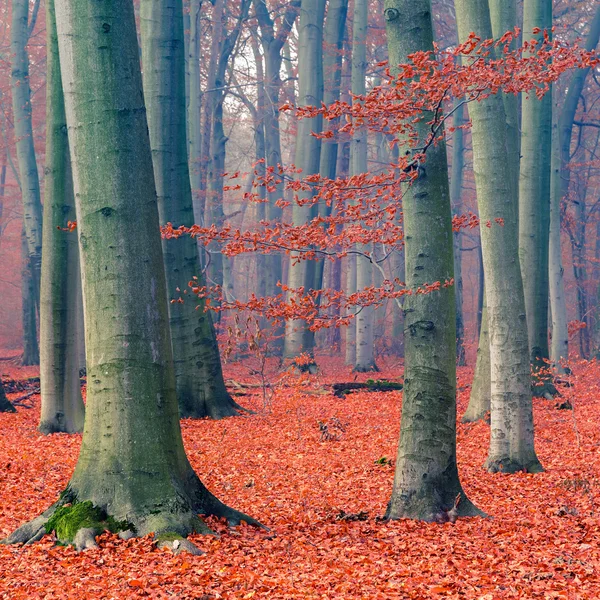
(534, 204)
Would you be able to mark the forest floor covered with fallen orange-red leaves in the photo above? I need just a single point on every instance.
(276, 465)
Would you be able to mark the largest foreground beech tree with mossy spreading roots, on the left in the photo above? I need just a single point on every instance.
(132, 473)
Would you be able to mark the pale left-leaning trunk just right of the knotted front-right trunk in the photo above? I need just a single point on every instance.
(512, 434)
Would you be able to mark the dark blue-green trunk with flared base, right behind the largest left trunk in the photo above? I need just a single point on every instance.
(200, 386)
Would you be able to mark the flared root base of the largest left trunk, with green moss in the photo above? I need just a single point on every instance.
(77, 521)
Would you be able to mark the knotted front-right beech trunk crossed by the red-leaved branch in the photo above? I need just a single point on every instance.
(426, 482)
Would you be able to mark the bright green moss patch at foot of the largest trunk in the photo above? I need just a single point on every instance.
(68, 520)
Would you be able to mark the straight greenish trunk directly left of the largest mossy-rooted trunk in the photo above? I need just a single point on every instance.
(62, 407)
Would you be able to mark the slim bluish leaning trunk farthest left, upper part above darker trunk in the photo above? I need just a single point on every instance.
(29, 178)
